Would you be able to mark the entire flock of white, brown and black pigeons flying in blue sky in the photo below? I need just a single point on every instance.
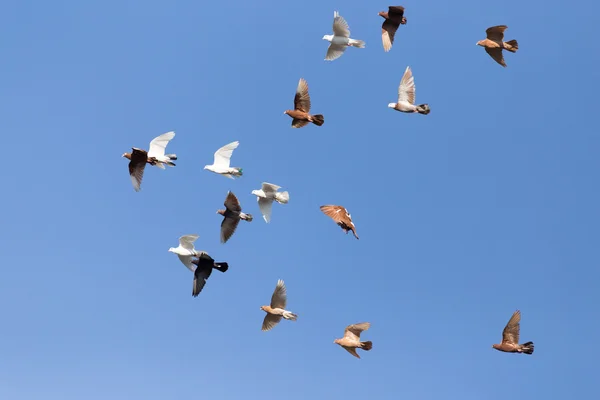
(202, 265)
